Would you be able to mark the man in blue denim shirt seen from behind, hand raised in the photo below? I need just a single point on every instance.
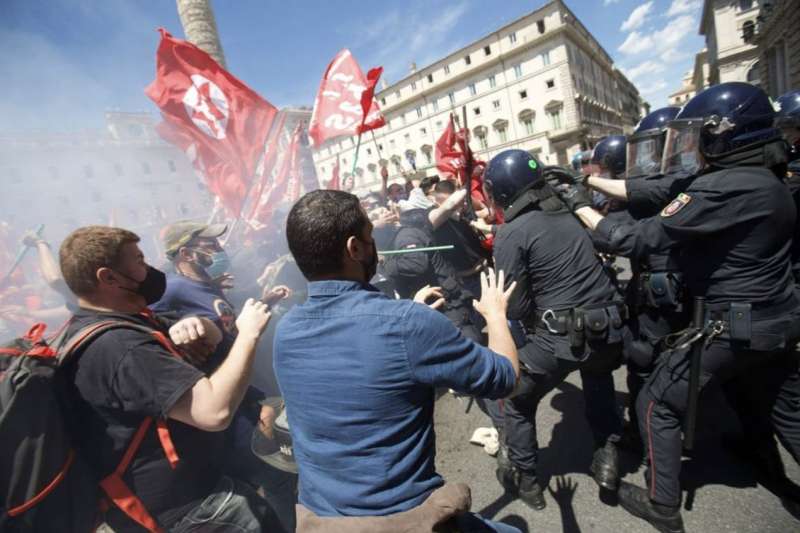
(358, 370)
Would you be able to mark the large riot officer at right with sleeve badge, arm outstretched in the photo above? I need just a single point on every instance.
(735, 224)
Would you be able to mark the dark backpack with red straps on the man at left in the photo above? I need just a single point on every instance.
(44, 484)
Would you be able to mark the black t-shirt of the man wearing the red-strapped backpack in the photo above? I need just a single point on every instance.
(120, 378)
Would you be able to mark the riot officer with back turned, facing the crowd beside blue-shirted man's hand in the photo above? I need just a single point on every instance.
(571, 315)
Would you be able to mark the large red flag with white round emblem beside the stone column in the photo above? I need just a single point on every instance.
(225, 119)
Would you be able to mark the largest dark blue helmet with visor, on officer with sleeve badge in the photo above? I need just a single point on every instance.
(719, 122)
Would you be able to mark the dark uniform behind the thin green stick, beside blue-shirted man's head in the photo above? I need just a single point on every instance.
(412, 271)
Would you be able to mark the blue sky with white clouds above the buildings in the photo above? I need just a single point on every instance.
(64, 62)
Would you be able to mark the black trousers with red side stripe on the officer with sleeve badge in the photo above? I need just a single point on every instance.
(768, 385)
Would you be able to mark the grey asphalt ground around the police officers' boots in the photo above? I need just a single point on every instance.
(723, 495)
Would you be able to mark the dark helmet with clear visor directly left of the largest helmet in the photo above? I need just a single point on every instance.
(646, 144)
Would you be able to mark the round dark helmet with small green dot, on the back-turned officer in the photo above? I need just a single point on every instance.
(509, 174)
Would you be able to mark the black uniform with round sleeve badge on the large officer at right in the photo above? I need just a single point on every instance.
(735, 229)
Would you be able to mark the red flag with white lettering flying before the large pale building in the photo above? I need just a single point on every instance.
(338, 108)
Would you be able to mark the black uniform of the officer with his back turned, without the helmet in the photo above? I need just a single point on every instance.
(574, 319)
